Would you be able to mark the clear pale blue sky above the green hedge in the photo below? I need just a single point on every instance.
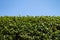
(30, 7)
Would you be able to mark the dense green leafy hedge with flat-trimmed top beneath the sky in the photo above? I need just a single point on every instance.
(29, 27)
